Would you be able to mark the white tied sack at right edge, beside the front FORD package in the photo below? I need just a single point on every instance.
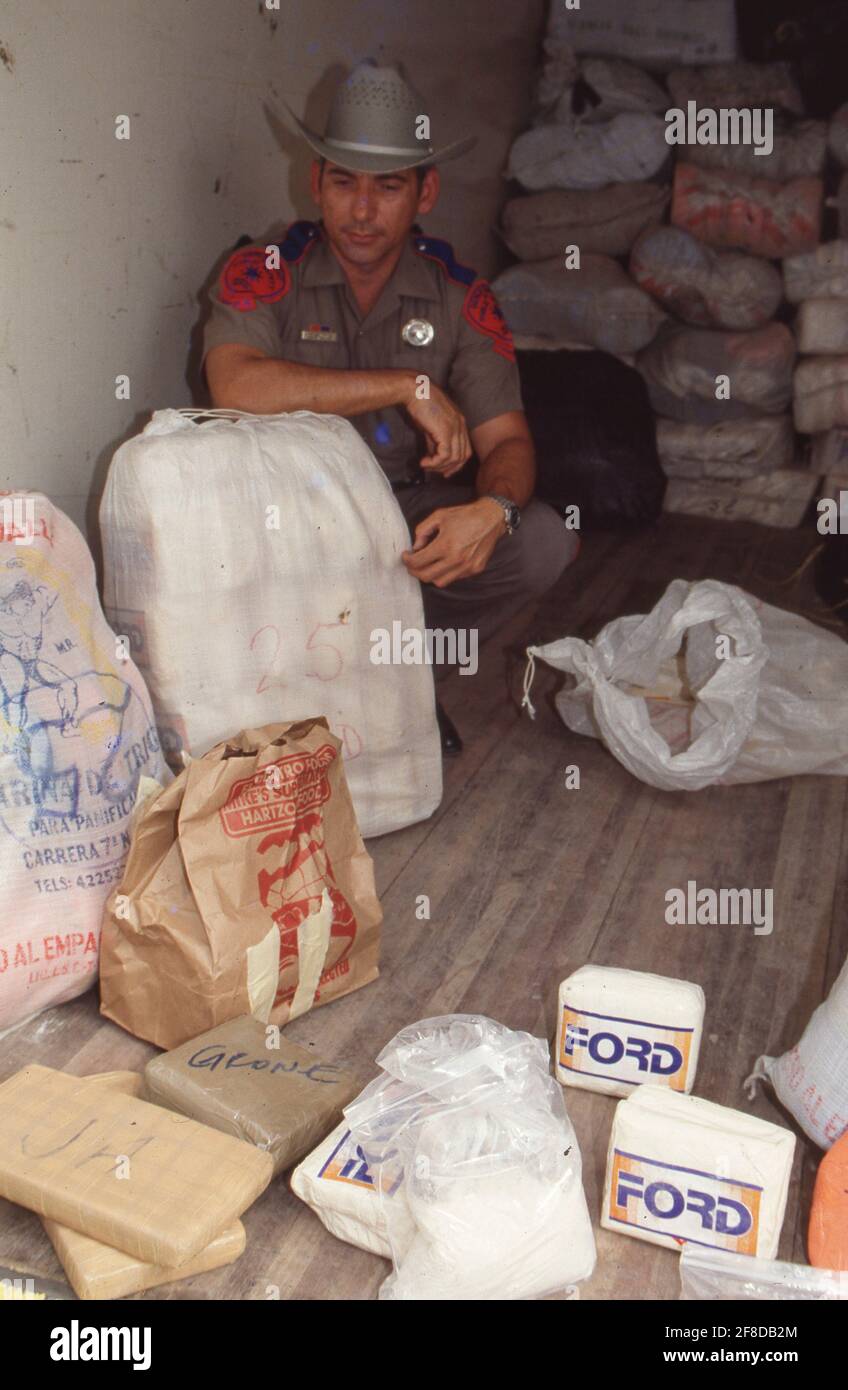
(811, 1081)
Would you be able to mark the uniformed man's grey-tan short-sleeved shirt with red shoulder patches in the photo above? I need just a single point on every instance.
(305, 312)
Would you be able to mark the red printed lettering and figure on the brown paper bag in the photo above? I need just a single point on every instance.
(284, 801)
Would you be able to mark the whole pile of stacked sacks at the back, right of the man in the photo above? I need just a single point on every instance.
(697, 305)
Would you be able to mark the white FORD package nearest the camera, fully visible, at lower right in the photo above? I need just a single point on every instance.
(680, 1170)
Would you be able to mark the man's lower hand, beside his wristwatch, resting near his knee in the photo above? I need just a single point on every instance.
(454, 543)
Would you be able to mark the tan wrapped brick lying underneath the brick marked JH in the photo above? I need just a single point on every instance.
(98, 1271)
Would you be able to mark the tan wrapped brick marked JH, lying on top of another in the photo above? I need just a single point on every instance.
(131, 1175)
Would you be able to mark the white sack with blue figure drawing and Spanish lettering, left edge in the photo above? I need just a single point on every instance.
(76, 736)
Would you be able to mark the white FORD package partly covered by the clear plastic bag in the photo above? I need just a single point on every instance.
(339, 1184)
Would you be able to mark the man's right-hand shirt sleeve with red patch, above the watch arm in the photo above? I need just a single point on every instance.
(484, 376)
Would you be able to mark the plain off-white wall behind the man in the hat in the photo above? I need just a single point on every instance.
(106, 245)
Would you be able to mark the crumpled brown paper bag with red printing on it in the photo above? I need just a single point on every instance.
(248, 890)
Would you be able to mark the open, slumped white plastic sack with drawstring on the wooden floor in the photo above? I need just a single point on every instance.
(680, 715)
